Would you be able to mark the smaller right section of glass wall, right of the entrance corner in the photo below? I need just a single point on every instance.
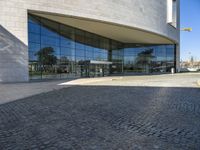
(149, 58)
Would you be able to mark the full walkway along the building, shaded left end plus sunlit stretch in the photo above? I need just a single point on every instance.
(13, 91)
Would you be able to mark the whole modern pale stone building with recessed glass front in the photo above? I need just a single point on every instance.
(48, 39)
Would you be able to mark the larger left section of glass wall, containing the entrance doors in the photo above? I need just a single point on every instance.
(60, 51)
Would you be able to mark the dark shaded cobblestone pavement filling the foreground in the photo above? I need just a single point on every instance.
(103, 118)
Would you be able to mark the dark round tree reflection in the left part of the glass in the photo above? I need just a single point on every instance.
(46, 57)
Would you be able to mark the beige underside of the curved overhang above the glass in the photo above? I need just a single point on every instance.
(113, 31)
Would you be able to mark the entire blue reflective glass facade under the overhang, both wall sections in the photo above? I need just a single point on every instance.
(60, 51)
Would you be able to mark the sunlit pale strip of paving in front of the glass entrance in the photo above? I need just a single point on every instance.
(165, 80)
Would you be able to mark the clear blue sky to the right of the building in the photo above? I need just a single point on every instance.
(190, 17)
